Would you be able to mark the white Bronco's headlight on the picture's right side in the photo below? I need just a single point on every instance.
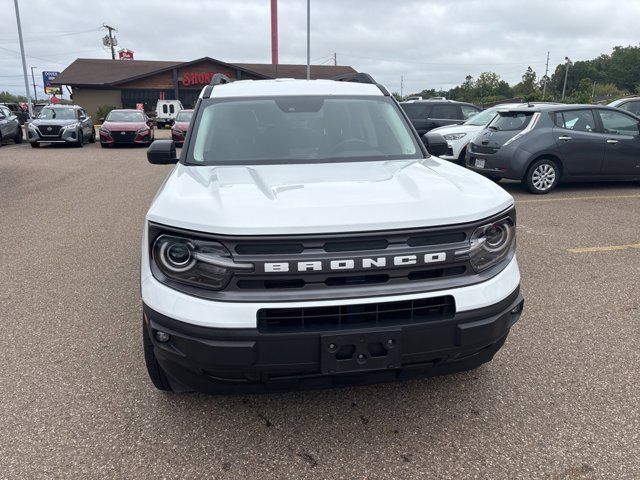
(490, 244)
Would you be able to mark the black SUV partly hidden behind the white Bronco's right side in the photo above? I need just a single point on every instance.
(426, 115)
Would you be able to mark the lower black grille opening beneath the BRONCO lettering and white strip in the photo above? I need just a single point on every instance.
(278, 320)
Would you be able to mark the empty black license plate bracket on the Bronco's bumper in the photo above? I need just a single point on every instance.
(357, 352)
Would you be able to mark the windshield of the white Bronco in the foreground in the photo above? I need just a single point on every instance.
(294, 128)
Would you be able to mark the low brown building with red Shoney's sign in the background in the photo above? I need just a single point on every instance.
(128, 83)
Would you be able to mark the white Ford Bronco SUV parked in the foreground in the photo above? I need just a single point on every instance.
(306, 238)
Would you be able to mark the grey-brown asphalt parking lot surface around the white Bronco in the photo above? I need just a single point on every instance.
(561, 400)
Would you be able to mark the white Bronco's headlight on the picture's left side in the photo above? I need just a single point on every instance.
(199, 263)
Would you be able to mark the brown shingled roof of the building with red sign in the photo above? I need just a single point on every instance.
(106, 72)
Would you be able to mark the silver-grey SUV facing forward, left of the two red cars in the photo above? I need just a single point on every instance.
(67, 124)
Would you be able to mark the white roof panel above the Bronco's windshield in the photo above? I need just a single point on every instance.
(279, 87)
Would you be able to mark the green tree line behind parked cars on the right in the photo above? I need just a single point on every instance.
(606, 77)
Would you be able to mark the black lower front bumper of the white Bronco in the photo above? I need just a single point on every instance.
(222, 360)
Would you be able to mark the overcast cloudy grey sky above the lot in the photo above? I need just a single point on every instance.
(431, 43)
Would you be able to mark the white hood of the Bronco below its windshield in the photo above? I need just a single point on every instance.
(324, 198)
